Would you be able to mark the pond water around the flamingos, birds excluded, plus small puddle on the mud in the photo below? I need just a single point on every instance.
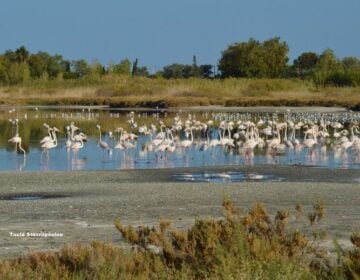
(92, 157)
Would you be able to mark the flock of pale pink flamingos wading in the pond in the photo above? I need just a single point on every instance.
(315, 132)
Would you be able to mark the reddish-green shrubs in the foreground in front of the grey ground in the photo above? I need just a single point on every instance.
(250, 246)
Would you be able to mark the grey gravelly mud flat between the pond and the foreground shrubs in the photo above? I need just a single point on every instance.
(83, 205)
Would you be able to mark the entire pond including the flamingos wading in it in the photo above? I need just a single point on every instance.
(182, 140)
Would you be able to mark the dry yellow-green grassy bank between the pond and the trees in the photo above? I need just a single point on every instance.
(124, 91)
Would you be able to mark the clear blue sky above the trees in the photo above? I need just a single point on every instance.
(162, 32)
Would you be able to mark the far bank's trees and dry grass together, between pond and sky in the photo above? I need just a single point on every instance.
(249, 73)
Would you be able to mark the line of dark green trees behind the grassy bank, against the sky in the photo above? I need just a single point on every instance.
(251, 59)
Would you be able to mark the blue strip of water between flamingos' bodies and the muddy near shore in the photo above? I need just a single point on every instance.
(92, 157)
